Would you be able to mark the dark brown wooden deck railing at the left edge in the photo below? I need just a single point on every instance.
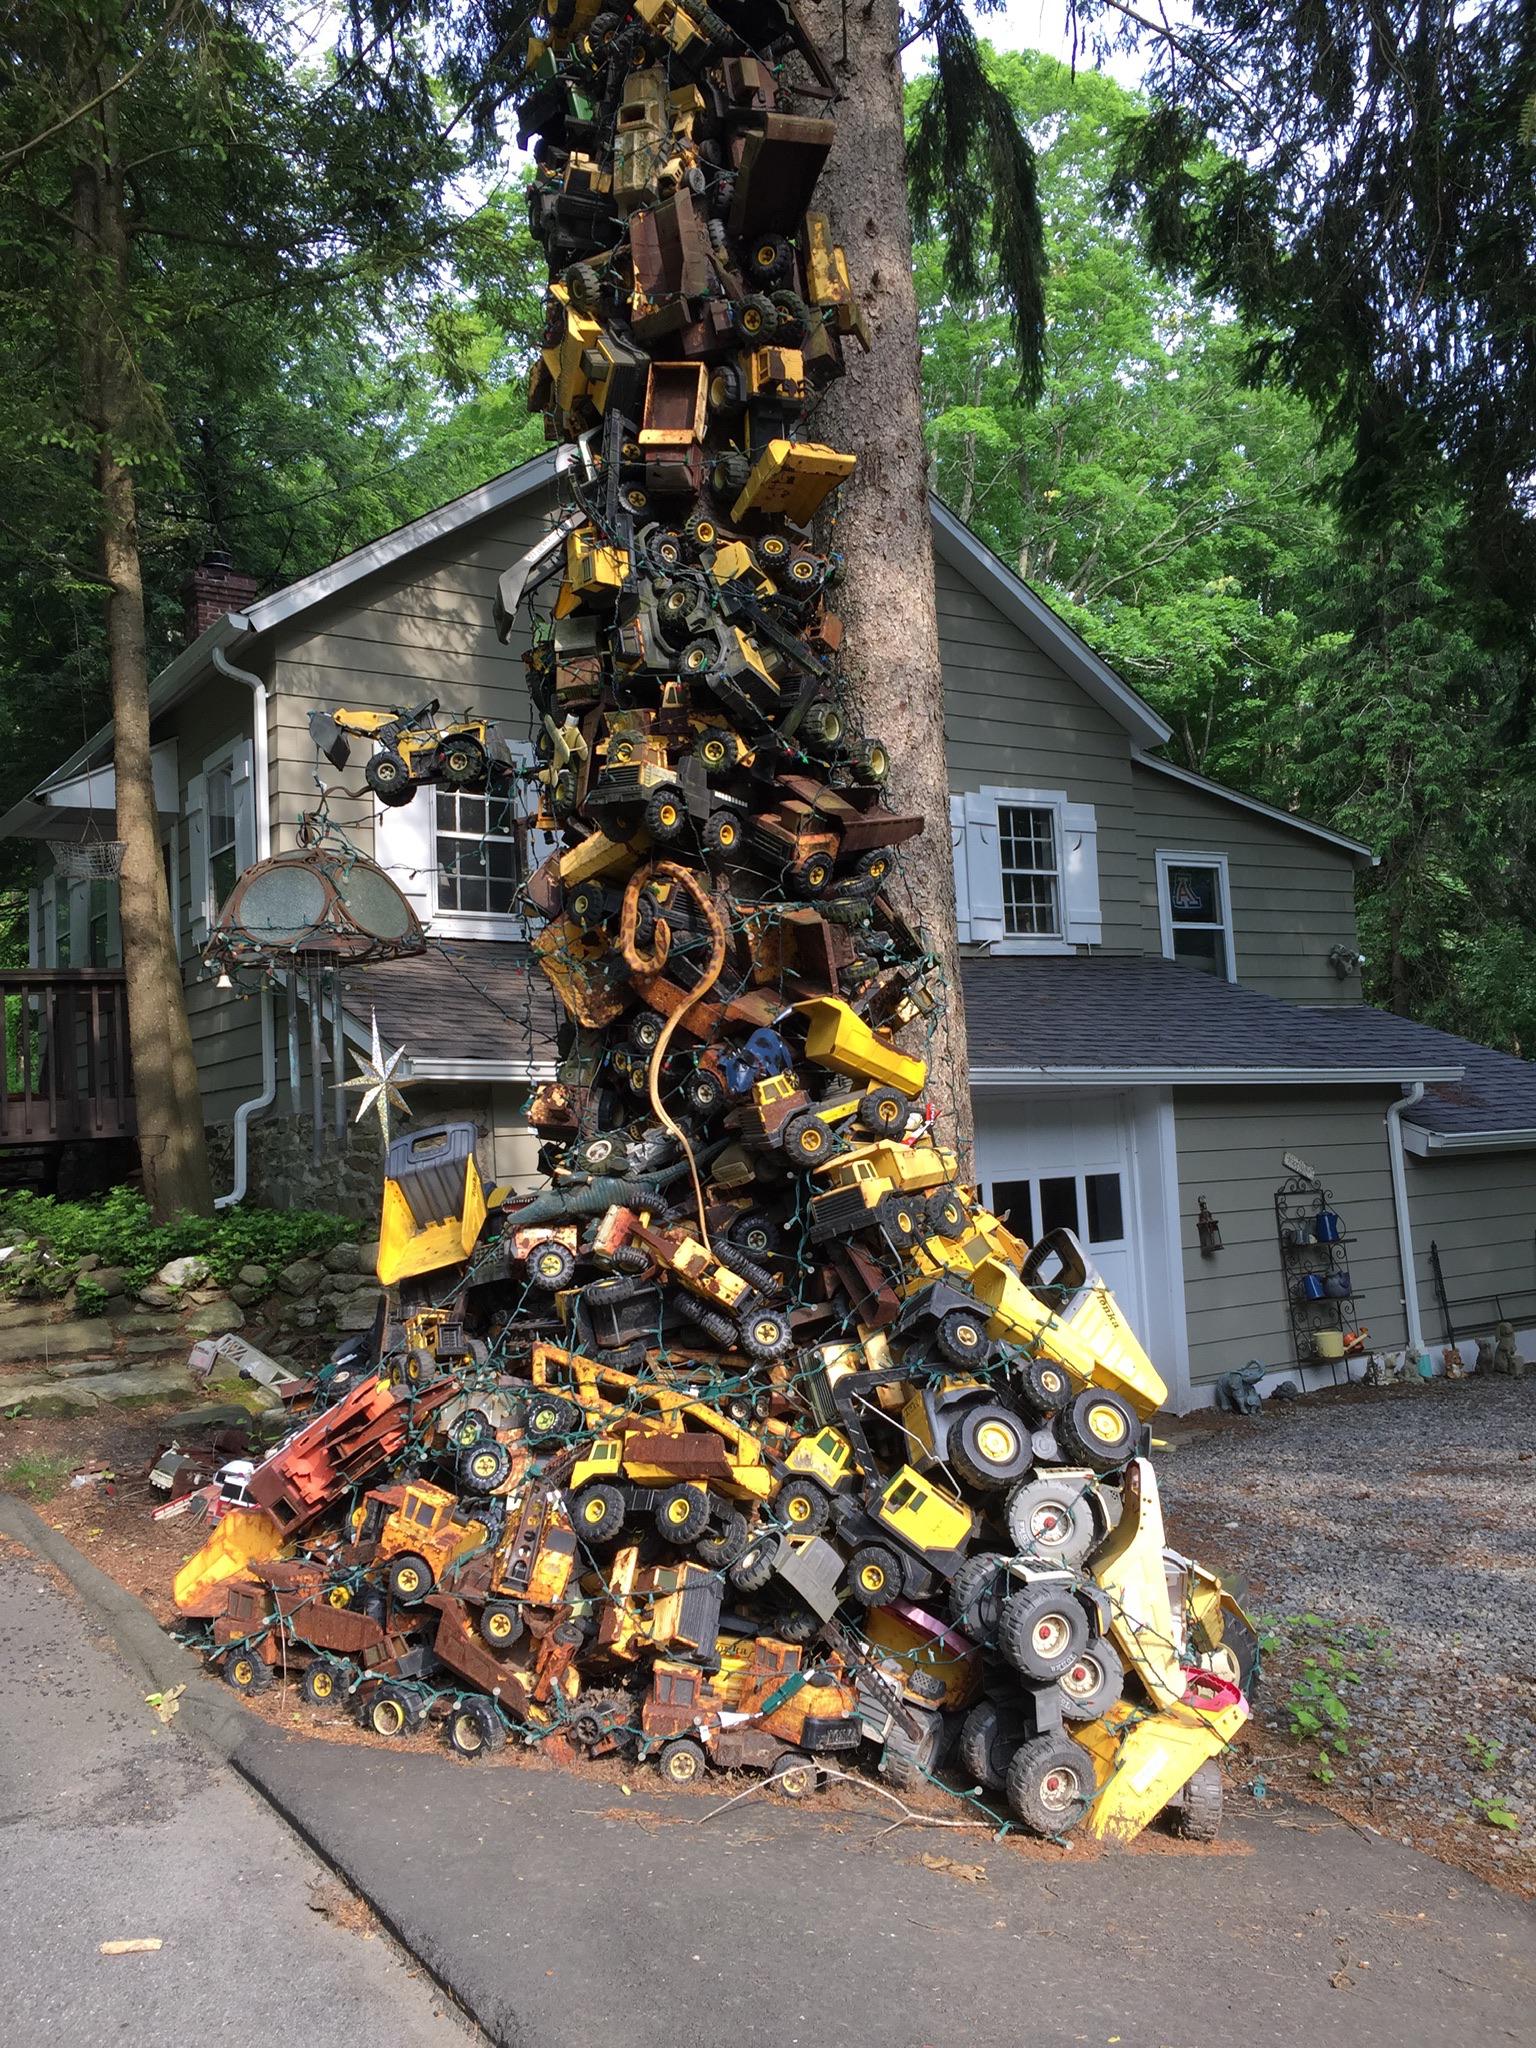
(65, 1056)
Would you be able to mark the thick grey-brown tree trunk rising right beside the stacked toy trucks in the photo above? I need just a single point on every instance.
(876, 413)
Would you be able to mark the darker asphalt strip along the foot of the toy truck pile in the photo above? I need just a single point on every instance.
(566, 1914)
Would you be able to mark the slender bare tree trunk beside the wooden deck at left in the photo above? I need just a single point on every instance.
(161, 1043)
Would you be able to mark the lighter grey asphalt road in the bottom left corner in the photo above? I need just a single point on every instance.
(114, 1828)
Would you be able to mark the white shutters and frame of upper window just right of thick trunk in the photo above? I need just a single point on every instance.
(980, 882)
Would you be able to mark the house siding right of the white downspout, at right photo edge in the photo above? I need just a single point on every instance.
(1478, 1209)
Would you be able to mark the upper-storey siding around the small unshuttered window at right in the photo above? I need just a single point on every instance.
(1293, 896)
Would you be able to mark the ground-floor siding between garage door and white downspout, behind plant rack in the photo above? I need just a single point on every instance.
(1230, 1152)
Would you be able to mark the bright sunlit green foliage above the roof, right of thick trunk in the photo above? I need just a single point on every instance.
(1160, 505)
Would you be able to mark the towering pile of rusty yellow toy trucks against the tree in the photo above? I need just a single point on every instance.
(753, 1441)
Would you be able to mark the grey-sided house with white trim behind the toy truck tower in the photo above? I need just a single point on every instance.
(1162, 976)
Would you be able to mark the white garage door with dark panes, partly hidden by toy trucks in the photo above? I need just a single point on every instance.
(1056, 1164)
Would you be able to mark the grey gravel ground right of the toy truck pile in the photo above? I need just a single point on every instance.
(1392, 1531)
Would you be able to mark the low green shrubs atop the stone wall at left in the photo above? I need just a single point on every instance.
(120, 1232)
